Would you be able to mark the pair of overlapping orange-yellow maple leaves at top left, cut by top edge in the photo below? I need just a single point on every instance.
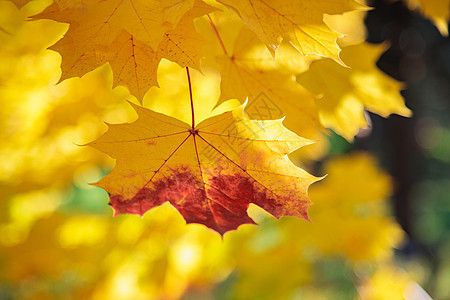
(133, 36)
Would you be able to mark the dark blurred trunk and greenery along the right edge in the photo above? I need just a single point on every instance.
(416, 151)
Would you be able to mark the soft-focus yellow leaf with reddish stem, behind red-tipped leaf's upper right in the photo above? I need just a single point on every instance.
(248, 70)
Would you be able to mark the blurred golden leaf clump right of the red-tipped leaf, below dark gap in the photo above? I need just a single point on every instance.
(349, 217)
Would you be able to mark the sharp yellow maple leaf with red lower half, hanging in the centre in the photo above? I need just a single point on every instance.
(210, 173)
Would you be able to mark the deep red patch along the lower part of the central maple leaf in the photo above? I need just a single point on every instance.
(221, 207)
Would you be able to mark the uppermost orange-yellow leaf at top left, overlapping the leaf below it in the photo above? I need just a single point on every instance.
(100, 22)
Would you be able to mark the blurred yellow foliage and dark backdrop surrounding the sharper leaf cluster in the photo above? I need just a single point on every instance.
(372, 235)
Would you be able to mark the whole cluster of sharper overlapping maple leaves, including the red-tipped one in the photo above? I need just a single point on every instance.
(281, 58)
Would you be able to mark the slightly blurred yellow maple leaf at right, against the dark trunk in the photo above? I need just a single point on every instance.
(346, 92)
